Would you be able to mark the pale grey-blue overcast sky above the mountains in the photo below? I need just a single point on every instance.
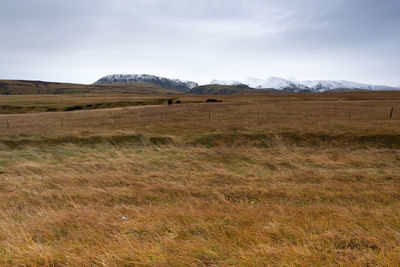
(201, 40)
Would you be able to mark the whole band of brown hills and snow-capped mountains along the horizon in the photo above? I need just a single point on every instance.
(150, 84)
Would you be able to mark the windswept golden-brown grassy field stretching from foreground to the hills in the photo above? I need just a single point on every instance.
(258, 180)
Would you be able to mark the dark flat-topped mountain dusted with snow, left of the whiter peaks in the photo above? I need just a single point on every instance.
(145, 78)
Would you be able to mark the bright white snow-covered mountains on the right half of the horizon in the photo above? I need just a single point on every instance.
(294, 85)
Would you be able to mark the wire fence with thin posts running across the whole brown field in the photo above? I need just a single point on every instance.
(235, 112)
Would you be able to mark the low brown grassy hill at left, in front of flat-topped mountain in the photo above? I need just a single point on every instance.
(21, 87)
